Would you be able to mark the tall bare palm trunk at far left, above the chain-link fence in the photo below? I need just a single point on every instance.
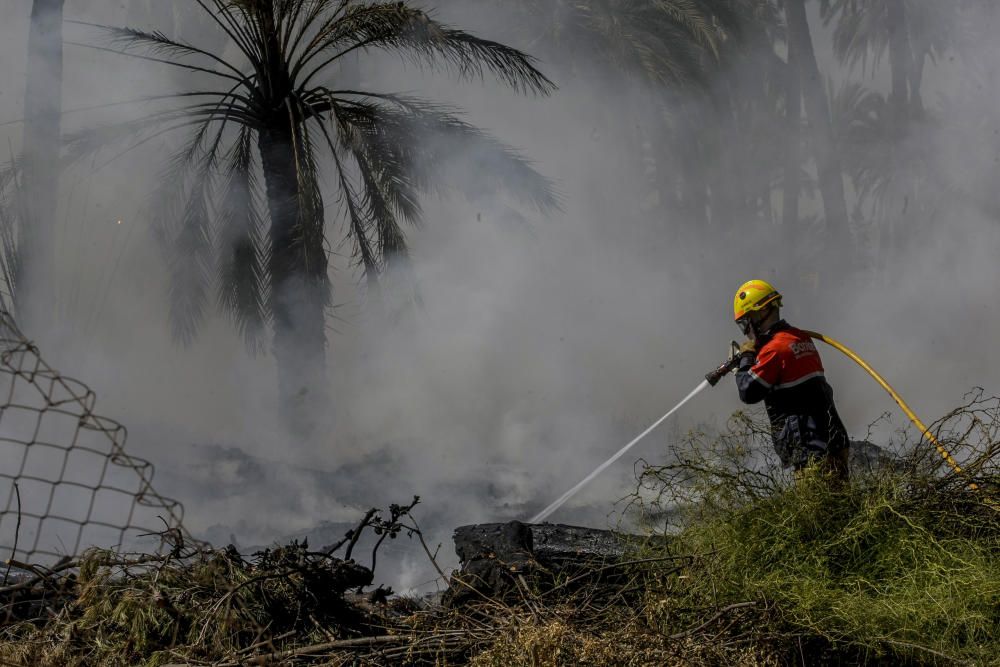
(42, 111)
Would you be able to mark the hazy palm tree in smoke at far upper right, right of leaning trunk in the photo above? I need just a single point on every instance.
(892, 173)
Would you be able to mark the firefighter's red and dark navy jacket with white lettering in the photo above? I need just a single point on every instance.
(787, 374)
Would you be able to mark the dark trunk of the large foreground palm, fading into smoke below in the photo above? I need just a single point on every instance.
(298, 288)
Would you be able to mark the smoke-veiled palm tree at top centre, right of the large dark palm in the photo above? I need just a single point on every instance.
(672, 46)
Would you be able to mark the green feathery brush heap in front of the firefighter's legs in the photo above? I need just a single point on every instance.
(902, 565)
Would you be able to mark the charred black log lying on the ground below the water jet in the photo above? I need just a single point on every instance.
(498, 557)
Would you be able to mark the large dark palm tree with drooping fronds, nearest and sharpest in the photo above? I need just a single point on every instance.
(261, 128)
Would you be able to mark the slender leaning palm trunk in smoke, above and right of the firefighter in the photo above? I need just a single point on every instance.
(831, 179)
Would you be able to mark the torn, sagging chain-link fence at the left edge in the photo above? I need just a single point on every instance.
(66, 482)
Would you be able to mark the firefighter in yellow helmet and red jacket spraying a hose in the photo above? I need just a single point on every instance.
(780, 365)
